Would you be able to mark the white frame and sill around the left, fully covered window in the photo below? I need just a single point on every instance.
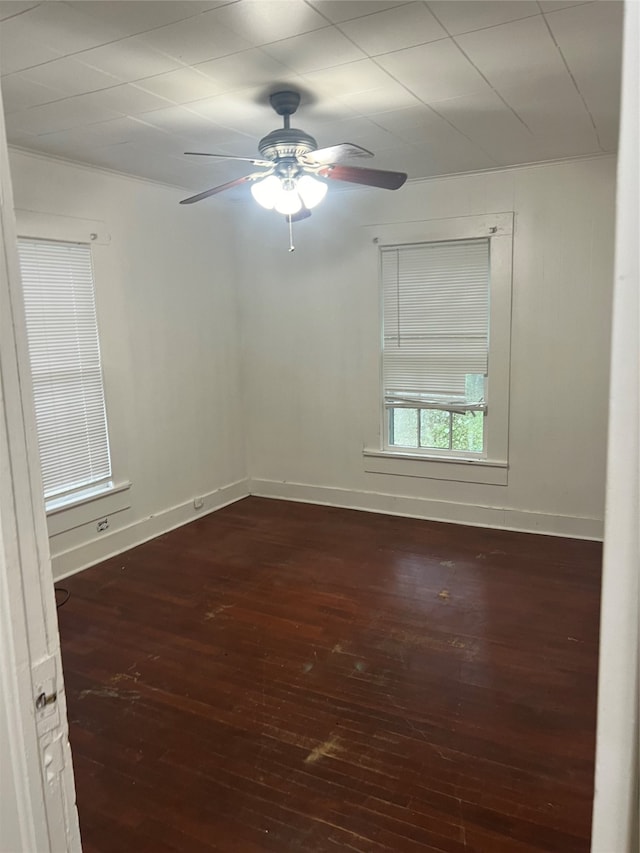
(84, 505)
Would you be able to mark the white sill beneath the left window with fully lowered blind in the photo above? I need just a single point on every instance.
(84, 507)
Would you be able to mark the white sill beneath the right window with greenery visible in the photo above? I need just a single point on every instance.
(487, 471)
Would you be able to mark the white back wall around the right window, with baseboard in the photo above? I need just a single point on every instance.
(311, 334)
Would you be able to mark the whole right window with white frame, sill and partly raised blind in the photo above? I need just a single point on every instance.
(445, 317)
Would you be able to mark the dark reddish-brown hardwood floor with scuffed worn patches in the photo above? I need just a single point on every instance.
(283, 677)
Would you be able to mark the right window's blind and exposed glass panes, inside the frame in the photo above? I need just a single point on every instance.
(436, 338)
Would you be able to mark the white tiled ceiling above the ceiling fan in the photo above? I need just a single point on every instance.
(431, 87)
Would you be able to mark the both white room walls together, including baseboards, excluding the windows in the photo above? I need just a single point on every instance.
(167, 291)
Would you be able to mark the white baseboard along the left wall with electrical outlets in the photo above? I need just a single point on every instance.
(122, 539)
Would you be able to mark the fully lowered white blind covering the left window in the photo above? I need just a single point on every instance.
(62, 331)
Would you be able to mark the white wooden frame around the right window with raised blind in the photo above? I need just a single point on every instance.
(492, 465)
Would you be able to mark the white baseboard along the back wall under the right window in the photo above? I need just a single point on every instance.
(475, 515)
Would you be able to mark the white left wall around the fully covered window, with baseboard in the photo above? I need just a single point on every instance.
(167, 310)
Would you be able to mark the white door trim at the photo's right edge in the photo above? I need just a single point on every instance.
(616, 818)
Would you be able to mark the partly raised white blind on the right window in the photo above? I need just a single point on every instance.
(436, 315)
